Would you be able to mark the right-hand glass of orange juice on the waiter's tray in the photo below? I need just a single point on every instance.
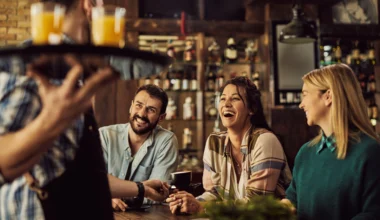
(108, 26)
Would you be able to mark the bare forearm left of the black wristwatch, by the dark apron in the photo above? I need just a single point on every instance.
(122, 188)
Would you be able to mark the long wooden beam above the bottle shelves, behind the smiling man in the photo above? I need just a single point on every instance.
(173, 26)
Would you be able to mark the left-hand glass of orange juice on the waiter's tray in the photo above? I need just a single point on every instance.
(46, 22)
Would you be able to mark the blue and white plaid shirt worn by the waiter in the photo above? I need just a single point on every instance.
(19, 105)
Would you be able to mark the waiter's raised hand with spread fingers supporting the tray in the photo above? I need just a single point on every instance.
(63, 104)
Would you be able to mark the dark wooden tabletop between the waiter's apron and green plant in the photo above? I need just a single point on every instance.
(156, 212)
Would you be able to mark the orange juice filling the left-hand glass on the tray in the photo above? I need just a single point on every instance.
(44, 24)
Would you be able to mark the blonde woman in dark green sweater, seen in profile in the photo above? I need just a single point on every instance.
(336, 175)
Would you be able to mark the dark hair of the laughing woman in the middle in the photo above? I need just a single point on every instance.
(253, 100)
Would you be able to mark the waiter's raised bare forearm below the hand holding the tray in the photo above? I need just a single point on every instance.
(22, 149)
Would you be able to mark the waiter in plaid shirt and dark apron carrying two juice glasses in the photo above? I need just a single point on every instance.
(51, 162)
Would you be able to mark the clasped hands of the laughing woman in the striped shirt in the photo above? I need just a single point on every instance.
(183, 202)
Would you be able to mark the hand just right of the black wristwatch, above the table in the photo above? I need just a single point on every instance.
(156, 190)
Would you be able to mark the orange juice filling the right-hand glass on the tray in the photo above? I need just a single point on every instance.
(108, 31)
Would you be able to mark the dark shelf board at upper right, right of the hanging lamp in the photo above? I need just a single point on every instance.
(357, 32)
